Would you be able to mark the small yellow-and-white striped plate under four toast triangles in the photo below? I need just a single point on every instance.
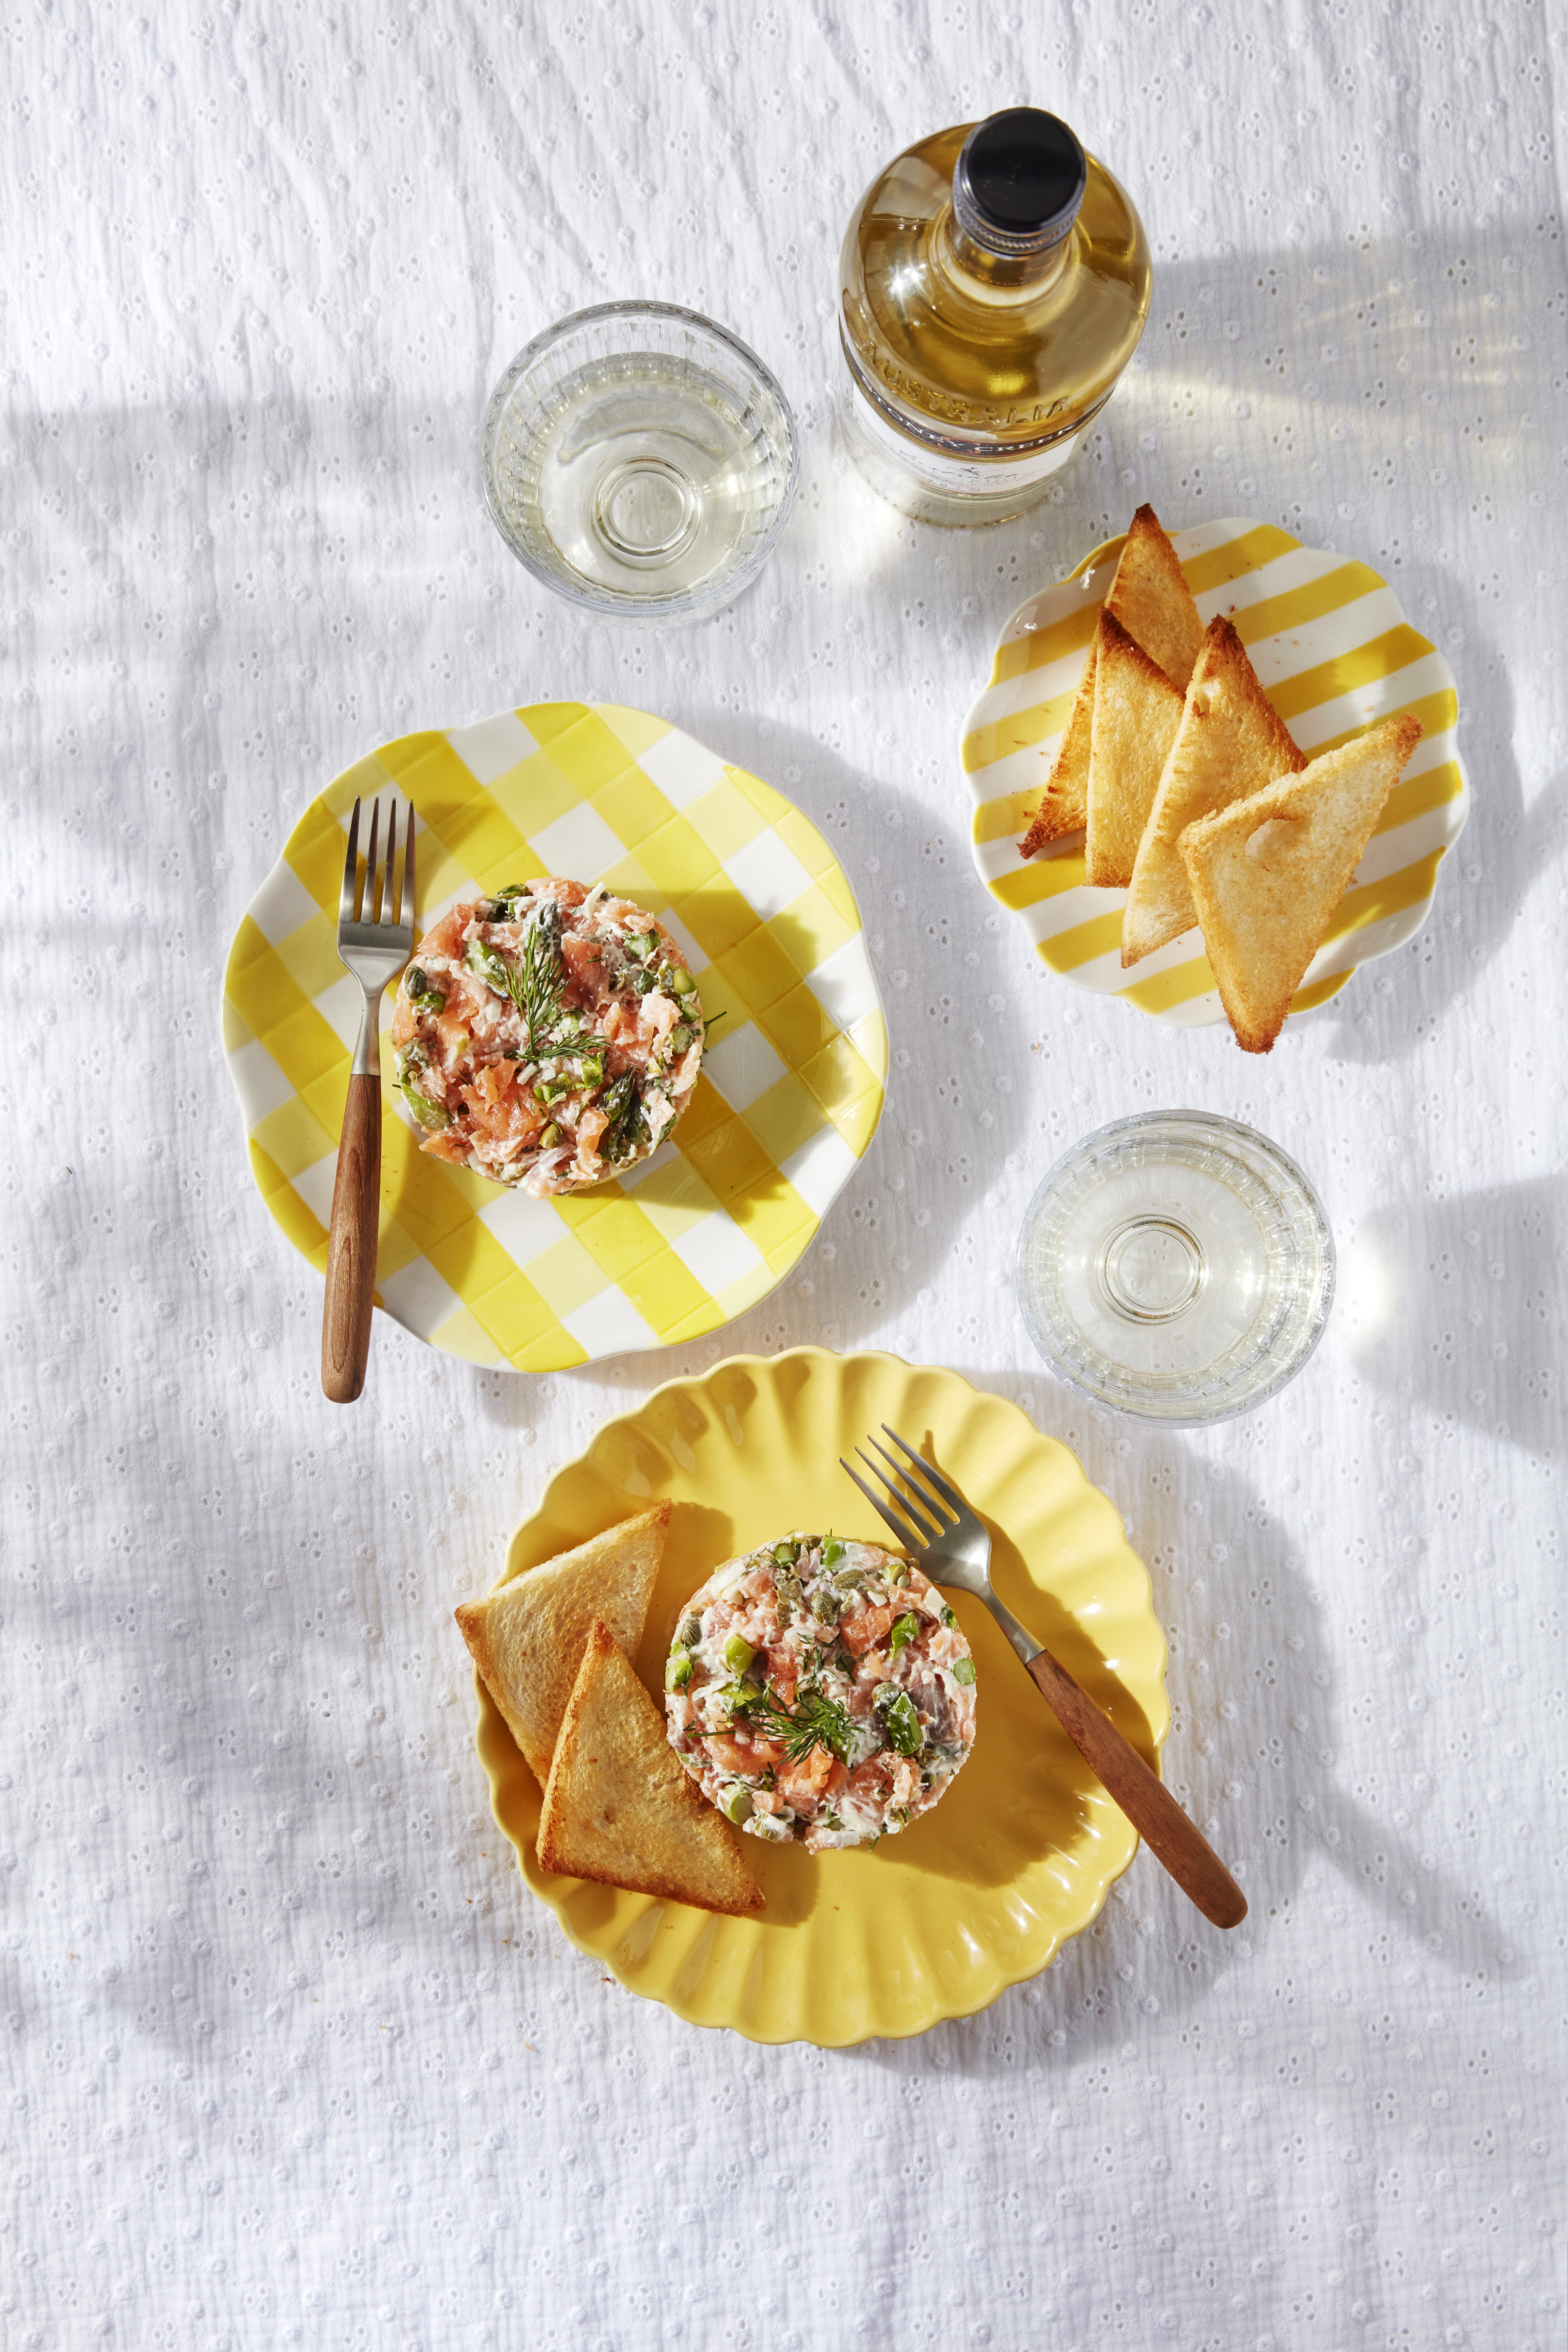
(1334, 653)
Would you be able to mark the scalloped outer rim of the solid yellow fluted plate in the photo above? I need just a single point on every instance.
(492, 1730)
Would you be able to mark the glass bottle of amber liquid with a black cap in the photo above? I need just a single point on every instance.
(974, 370)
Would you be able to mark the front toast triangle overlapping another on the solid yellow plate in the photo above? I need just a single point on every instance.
(619, 1805)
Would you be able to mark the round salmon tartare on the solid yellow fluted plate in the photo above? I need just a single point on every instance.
(822, 1692)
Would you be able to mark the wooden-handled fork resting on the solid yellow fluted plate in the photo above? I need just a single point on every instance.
(932, 1518)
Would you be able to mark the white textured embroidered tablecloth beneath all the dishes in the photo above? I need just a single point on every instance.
(295, 2059)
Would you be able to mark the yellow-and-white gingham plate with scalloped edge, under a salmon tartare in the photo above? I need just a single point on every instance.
(791, 1085)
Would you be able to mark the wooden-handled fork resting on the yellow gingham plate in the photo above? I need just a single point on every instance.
(375, 942)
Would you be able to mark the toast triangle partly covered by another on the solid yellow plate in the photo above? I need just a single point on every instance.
(528, 1636)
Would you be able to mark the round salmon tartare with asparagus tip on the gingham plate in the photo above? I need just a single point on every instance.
(547, 1036)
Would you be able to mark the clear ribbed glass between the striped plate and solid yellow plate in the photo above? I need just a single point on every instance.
(1177, 1267)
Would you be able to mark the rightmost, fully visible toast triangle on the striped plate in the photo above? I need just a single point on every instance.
(1271, 871)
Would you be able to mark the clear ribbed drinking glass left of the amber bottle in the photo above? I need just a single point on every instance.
(641, 462)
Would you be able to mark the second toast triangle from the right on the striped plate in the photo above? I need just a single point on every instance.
(1228, 744)
